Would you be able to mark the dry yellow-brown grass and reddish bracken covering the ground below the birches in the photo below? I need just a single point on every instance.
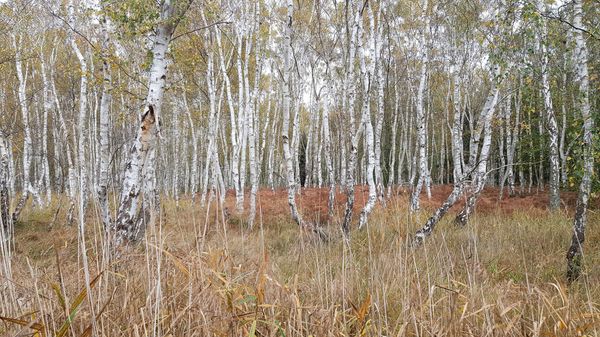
(197, 275)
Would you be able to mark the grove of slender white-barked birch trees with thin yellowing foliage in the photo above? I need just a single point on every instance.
(128, 105)
